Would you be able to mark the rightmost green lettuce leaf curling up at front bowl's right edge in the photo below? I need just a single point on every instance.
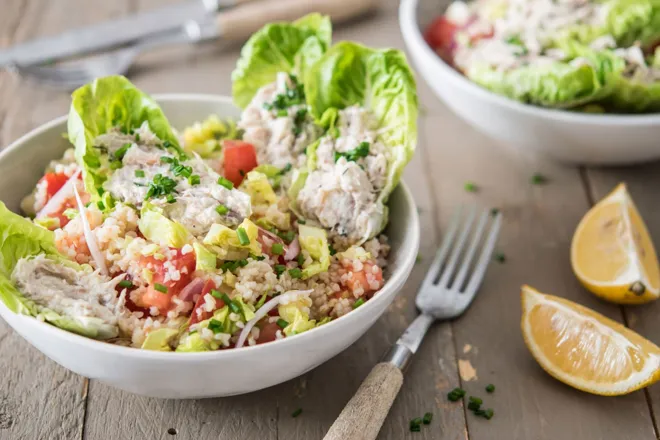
(379, 80)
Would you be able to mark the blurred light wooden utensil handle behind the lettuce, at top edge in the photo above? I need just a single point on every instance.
(242, 21)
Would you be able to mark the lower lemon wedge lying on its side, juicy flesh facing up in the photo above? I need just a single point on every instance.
(584, 349)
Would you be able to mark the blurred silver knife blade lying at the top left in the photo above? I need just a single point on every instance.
(111, 34)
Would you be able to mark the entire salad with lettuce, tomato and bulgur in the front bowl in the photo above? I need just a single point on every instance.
(226, 234)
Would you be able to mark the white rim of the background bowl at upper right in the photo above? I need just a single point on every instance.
(412, 35)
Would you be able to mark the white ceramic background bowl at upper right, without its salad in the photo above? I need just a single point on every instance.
(567, 136)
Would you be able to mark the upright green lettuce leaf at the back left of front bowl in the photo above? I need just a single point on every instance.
(107, 103)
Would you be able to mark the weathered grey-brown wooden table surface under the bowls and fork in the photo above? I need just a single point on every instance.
(41, 400)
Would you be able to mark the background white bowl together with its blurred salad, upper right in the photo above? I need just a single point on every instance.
(574, 80)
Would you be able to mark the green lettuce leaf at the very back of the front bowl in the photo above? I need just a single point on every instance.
(279, 47)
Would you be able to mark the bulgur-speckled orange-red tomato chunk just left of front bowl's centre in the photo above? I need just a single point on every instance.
(185, 264)
